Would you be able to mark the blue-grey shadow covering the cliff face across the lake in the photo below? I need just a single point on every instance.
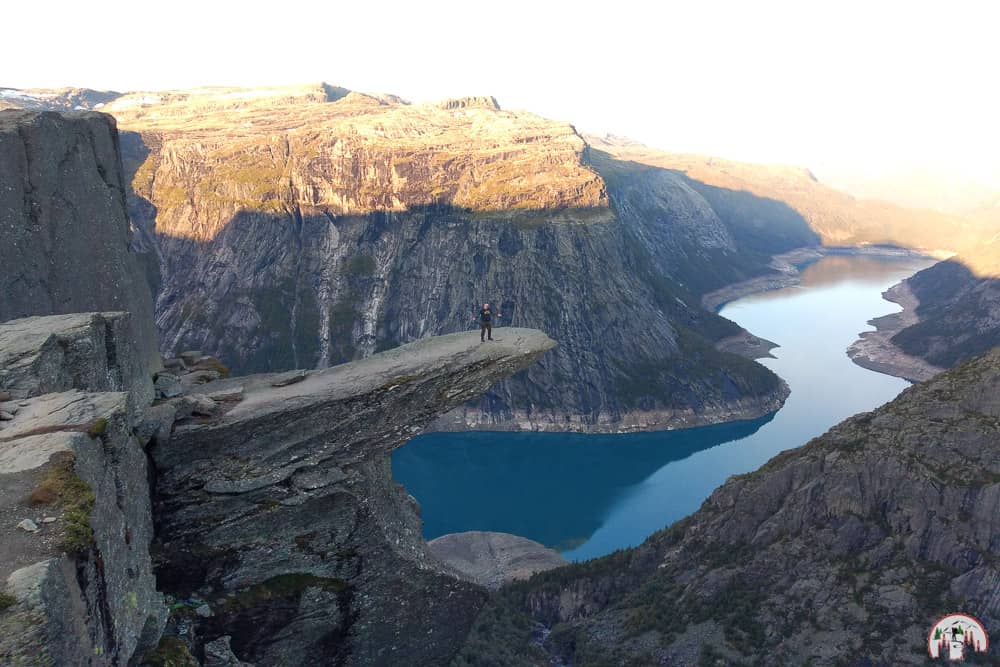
(292, 286)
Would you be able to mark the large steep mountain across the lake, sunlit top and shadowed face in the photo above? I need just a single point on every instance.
(321, 228)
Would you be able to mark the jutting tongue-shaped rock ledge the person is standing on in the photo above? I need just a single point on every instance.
(280, 512)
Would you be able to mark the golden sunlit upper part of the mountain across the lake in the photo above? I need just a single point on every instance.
(350, 152)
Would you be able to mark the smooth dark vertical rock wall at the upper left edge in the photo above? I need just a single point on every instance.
(64, 231)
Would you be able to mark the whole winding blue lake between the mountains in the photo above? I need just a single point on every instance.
(588, 495)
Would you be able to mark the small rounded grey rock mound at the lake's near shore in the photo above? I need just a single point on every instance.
(494, 559)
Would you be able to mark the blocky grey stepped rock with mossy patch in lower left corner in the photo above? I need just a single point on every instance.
(80, 573)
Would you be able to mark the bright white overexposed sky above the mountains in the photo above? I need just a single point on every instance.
(832, 84)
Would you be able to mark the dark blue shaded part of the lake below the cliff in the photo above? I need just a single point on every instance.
(551, 487)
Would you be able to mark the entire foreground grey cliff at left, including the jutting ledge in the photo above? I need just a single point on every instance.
(273, 494)
